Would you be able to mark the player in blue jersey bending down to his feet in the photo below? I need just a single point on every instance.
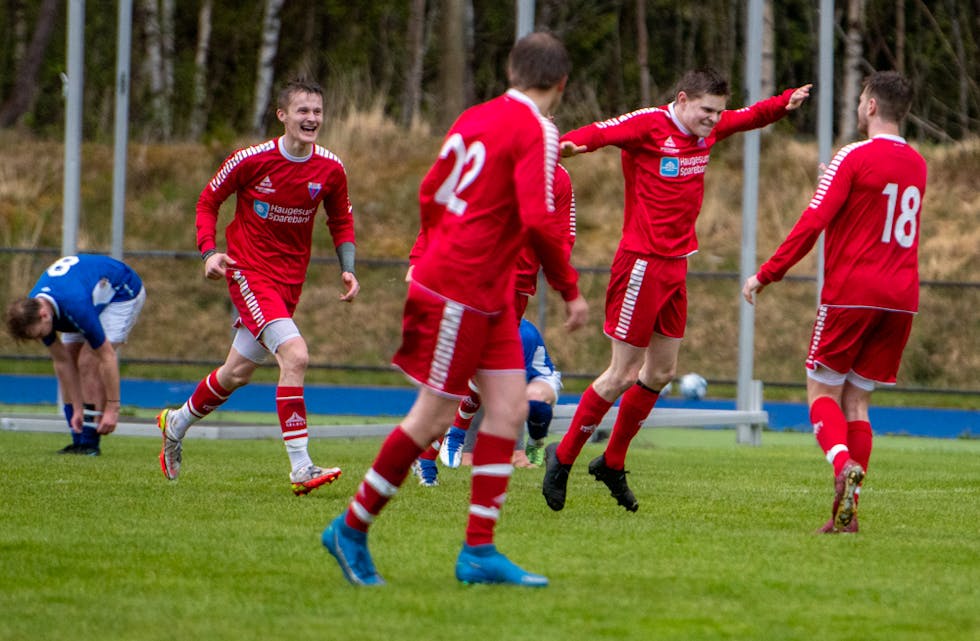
(94, 302)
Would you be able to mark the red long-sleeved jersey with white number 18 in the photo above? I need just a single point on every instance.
(869, 201)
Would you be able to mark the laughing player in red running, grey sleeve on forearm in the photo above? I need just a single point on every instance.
(278, 185)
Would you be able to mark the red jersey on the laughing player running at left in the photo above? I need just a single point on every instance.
(277, 196)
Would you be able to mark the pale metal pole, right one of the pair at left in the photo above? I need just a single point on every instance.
(121, 136)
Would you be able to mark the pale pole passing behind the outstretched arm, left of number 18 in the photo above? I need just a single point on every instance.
(750, 203)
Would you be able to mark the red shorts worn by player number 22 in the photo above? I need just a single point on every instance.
(445, 343)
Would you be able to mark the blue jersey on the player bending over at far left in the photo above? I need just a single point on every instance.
(79, 288)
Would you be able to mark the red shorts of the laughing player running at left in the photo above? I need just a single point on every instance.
(260, 299)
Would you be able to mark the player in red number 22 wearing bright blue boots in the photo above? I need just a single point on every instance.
(488, 193)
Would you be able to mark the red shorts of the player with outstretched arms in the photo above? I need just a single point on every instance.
(646, 294)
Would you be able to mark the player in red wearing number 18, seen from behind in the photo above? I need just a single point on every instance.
(869, 202)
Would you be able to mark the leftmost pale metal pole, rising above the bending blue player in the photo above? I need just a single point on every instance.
(74, 84)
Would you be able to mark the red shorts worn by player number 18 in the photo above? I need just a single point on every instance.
(868, 342)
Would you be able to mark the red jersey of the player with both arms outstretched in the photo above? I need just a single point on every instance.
(663, 167)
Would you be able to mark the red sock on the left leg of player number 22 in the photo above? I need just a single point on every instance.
(382, 481)
